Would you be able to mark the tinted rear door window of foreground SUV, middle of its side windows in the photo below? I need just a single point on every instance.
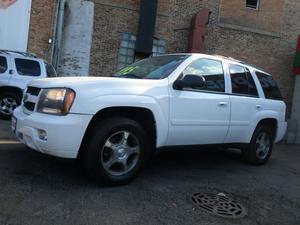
(242, 81)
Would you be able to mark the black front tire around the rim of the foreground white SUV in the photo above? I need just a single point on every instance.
(92, 154)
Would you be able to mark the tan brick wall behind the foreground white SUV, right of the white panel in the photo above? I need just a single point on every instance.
(264, 37)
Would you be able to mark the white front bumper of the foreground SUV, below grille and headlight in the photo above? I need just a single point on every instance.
(64, 133)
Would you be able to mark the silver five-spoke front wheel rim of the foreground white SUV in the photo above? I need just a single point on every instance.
(120, 153)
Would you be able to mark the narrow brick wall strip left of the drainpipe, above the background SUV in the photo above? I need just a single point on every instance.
(42, 23)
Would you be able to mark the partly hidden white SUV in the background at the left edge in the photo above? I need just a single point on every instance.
(17, 69)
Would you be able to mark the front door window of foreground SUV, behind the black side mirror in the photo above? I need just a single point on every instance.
(211, 70)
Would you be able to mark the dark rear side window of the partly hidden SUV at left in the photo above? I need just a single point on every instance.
(27, 67)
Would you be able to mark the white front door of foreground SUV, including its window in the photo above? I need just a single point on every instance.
(200, 115)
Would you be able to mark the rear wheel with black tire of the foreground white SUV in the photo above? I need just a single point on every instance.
(260, 148)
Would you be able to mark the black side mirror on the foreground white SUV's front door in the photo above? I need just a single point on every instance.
(189, 81)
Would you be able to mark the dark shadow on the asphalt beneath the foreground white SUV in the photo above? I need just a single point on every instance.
(47, 170)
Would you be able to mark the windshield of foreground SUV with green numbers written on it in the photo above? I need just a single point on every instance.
(152, 68)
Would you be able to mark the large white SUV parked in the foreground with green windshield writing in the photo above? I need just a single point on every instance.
(113, 124)
